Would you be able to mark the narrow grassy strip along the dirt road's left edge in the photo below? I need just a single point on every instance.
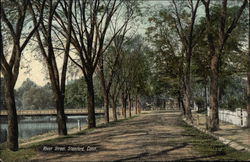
(27, 152)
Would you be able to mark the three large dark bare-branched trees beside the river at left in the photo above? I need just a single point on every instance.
(79, 31)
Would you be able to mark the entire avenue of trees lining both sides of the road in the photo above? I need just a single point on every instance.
(189, 42)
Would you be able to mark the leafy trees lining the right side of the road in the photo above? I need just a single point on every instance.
(201, 38)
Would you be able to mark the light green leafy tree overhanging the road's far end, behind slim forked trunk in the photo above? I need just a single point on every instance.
(167, 55)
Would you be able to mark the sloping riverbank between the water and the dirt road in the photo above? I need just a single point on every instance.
(28, 146)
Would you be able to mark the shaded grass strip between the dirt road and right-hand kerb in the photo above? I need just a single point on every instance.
(211, 148)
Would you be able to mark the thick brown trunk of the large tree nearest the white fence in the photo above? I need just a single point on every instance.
(213, 117)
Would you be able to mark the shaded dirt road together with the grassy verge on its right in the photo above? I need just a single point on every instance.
(158, 136)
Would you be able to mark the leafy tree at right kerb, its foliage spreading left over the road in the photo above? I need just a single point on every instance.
(174, 29)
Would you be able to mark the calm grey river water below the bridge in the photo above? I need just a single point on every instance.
(36, 125)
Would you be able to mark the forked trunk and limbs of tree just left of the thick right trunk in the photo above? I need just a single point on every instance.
(188, 40)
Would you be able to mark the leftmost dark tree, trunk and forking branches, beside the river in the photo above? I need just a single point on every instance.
(11, 67)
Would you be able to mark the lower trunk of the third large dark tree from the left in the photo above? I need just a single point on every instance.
(91, 102)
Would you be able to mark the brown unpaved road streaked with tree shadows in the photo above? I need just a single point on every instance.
(155, 136)
